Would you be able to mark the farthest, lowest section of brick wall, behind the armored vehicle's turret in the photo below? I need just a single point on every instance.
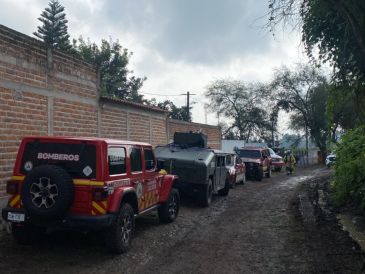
(213, 132)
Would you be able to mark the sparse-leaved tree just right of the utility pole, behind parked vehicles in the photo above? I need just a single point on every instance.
(244, 105)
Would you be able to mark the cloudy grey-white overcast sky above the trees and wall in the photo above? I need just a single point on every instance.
(179, 45)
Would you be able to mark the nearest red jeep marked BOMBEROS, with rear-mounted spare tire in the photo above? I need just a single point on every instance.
(88, 184)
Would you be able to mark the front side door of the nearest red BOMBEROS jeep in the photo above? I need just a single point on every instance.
(150, 179)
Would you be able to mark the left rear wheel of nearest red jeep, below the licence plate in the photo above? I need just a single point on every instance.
(26, 234)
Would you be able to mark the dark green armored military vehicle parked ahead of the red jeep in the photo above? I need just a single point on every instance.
(201, 171)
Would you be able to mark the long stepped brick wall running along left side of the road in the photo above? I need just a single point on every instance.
(50, 93)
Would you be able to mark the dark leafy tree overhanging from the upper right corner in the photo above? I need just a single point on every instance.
(335, 27)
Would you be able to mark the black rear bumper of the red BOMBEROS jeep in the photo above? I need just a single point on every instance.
(68, 221)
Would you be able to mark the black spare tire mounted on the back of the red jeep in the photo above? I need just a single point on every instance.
(48, 191)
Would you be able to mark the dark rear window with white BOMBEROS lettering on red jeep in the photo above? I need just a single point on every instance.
(79, 160)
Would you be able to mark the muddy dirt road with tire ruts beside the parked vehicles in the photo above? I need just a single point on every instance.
(258, 228)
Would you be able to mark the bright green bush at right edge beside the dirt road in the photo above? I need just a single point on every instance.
(349, 180)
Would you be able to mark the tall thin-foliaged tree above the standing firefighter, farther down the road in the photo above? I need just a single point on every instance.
(303, 91)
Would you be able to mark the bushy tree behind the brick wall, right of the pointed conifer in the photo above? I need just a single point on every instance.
(111, 61)
